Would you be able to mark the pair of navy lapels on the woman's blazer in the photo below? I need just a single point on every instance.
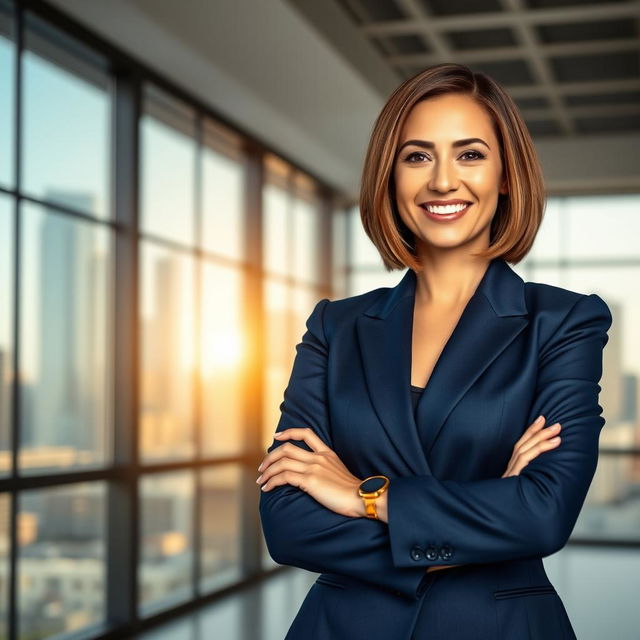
(493, 317)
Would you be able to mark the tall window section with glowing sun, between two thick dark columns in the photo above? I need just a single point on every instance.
(192, 351)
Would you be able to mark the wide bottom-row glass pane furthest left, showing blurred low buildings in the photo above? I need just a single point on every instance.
(61, 559)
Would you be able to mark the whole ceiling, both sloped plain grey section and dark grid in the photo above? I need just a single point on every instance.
(308, 77)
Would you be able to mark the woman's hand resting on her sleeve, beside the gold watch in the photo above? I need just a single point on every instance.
(318, 472)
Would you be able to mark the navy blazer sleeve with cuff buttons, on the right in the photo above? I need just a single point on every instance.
(532, 514)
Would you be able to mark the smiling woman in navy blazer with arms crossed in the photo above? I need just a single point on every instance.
(430, 520)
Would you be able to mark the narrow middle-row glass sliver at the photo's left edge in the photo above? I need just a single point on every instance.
(7, 240)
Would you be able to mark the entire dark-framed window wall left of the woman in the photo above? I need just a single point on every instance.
(156, 268)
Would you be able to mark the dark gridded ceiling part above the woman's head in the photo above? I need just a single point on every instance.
(572, 66)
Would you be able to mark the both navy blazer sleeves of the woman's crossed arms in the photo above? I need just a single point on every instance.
(491, 520)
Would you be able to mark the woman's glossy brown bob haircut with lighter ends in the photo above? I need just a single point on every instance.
(518, 213)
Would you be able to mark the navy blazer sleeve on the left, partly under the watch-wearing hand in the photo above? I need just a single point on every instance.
(298, 530)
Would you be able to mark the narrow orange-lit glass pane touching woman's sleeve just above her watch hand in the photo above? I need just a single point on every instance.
(279, 354)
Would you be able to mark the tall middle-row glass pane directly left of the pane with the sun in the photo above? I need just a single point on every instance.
(168, 359)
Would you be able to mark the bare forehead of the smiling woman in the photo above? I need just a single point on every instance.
(447, 117)
